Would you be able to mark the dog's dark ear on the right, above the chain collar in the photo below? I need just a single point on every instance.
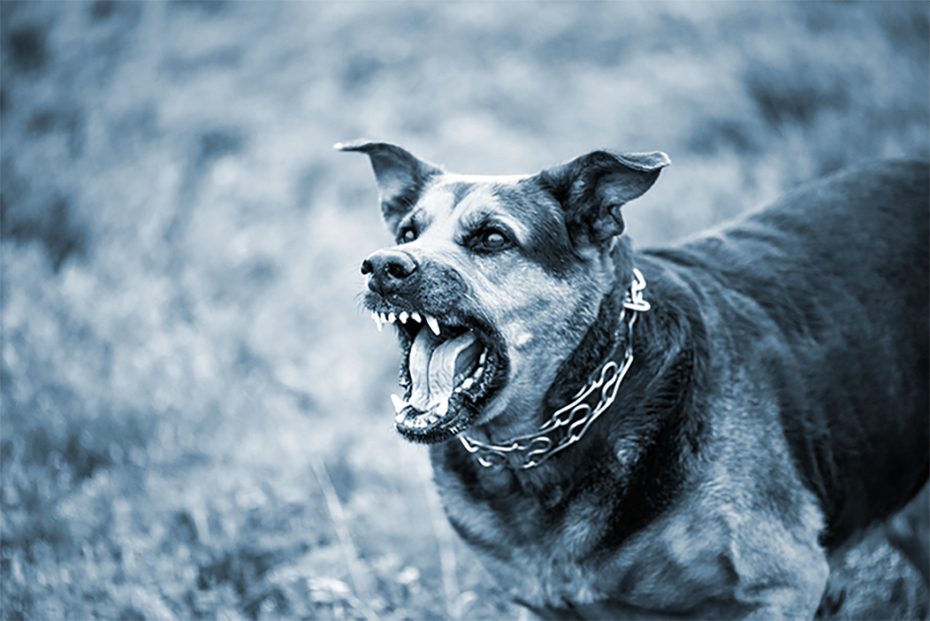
(592, 188)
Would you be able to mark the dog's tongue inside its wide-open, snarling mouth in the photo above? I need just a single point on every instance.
(435, 367)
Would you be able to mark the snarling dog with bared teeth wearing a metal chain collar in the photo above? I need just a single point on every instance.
(682, 432)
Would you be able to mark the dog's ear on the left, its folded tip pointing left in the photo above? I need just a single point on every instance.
(400, 175)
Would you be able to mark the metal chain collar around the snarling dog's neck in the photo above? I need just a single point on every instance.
(570, 422)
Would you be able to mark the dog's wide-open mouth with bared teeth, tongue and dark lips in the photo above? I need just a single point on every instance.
(451, 368)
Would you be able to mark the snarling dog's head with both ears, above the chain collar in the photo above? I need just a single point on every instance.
(493, 281)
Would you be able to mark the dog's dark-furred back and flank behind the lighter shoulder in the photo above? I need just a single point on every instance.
(841, 269)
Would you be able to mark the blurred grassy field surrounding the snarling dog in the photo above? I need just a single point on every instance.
(195, 421)
